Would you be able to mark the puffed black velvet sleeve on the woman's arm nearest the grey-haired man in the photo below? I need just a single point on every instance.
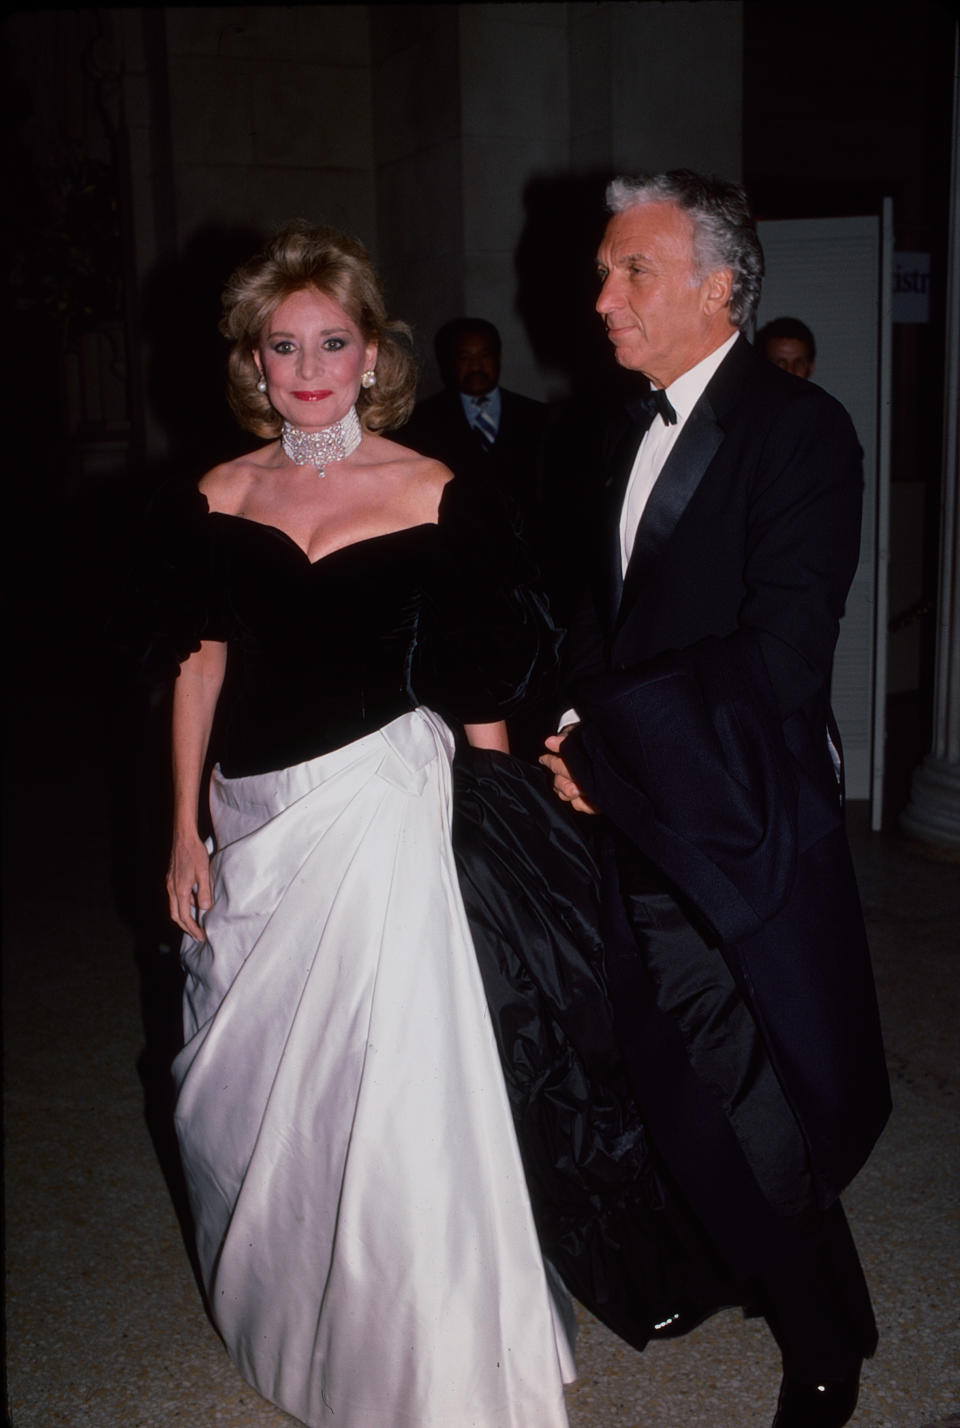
(486, 642)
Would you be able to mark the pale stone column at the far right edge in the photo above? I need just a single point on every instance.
(934, 813)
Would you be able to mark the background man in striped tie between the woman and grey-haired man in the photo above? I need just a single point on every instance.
(476, 428)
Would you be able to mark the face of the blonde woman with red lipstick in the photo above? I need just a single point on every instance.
(312, 356)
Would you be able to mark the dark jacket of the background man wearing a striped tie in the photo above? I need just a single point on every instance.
(439, 429)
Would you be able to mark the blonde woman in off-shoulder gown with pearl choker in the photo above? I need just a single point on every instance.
(364, 1227)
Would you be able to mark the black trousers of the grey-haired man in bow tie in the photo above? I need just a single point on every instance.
(724, 1127)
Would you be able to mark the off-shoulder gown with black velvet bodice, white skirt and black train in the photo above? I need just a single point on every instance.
(399, 1086)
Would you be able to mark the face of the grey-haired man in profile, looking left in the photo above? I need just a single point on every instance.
(661, 319)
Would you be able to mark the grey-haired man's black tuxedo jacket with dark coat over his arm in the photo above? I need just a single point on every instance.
(702, 680)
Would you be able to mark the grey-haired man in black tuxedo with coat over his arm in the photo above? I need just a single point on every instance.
(699, 673)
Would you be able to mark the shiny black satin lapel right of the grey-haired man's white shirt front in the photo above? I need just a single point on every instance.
(675, 488)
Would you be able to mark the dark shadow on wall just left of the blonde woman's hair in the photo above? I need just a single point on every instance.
(186, 368)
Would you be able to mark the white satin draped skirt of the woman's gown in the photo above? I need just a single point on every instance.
(362, 1219)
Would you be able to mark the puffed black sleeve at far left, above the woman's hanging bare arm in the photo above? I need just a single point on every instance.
(181, 596)
